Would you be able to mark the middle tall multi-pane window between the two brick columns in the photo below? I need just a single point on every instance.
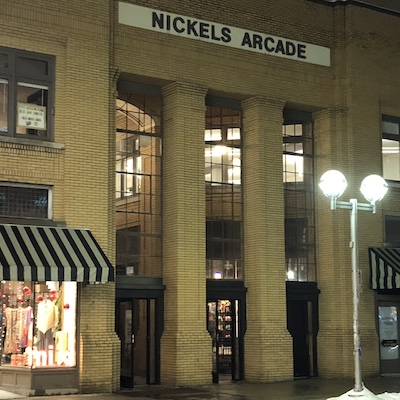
(223, 193)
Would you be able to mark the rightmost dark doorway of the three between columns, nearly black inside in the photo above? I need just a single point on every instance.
(302, 323)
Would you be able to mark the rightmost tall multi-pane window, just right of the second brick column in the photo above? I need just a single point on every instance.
(298, 178)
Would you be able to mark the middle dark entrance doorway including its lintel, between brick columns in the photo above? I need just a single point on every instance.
(226, 324)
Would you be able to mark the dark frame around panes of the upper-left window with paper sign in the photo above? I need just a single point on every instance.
(11, 73)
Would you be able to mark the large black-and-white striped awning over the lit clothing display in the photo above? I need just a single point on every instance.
(32, 253)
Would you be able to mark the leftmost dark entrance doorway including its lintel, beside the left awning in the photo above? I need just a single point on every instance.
(139, 325)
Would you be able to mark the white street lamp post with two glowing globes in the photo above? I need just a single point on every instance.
(373, 187)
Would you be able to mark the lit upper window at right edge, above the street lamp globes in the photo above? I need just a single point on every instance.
(390, 148)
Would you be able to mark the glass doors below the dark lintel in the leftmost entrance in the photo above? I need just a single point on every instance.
(137, 330)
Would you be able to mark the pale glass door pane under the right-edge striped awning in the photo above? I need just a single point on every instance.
(389, 337)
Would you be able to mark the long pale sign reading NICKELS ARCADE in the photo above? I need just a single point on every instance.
(191, 28)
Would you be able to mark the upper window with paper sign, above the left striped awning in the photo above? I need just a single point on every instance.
(26, 94)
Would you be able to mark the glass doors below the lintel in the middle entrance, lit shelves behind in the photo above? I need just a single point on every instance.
(223, 326)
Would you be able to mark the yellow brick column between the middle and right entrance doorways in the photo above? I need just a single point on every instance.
(268, 344)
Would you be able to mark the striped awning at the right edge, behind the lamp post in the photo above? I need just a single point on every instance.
(385, 267)
